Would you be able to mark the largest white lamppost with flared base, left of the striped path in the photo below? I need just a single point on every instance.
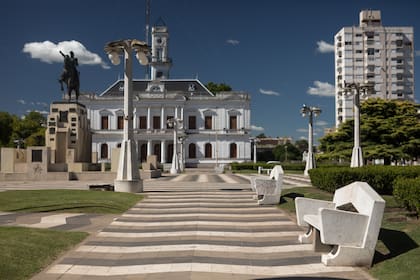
(128, 177)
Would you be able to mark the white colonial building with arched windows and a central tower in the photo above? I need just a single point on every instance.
(213, 128)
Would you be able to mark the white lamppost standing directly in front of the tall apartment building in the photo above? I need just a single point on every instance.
(357, 89)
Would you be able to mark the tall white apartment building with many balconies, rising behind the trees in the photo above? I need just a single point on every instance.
(374, 53)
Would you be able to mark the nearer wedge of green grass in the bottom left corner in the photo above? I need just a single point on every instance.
(26, 251)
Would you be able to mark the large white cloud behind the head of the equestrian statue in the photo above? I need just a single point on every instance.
(48, 52)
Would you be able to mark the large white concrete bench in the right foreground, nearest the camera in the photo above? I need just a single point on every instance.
(349, 236)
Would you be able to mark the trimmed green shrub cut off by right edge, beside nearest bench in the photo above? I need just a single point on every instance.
(407, 193)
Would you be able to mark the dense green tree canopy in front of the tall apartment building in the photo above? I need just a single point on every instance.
(389, 130)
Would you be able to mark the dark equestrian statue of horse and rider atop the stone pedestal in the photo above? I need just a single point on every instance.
(70, 75)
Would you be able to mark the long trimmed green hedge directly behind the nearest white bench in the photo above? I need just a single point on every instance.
(380, 178)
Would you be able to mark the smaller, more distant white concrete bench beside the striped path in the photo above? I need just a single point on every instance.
(268, 188)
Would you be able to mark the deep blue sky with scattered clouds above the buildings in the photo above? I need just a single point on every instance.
(278, 51)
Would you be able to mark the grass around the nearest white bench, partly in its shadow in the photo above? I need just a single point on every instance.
(397, 251)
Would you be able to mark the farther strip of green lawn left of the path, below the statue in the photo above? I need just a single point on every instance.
(70, 201)
